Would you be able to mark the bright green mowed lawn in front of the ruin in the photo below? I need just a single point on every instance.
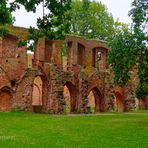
(27, 130)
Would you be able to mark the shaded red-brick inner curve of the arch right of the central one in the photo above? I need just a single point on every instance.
(98, 99)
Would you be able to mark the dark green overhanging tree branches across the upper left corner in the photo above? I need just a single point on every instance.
(53, 25)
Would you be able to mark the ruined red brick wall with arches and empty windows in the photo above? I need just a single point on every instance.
(36, 82)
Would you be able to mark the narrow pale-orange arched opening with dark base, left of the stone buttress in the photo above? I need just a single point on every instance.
(37, 94)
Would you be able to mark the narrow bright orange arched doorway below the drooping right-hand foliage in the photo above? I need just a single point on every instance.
(119, 100)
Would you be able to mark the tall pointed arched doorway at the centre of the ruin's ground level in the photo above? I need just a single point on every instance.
(70, 95)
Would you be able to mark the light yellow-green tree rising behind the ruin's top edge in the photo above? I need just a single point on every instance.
(91, 19)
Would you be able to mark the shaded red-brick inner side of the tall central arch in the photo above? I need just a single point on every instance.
(73, 96)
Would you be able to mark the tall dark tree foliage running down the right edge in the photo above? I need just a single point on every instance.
(139, 14)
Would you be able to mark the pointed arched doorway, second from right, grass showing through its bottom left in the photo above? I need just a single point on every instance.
(95, 99)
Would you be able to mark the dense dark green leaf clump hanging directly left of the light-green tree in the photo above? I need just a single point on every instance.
(56, 23)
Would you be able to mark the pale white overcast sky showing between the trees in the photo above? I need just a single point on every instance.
(118, 8)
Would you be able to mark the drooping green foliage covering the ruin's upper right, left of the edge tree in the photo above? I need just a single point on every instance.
(120, 57)
